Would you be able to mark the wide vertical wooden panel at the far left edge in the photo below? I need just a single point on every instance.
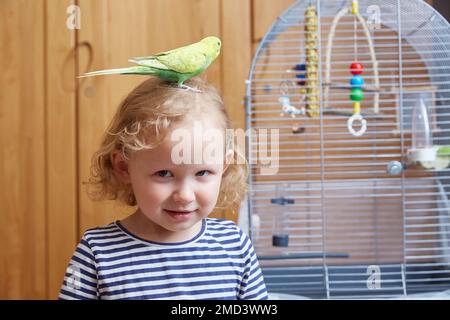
(23, 169)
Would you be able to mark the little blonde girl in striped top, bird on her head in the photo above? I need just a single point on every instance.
(168, 248)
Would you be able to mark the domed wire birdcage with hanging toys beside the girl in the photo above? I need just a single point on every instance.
(349, 188)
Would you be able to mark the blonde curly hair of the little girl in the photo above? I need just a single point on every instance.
(139, 123)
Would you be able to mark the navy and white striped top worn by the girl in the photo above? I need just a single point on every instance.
(111, 263)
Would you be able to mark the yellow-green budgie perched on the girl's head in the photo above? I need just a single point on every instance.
(177, 65)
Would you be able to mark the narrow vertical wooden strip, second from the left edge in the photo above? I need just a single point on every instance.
(61, 142)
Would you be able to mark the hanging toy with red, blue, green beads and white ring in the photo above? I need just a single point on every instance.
(356, 96)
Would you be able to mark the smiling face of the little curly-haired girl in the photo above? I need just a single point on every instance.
(175, 197)
